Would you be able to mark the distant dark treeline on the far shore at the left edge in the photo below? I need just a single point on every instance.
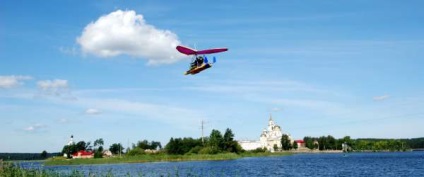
(27, 156)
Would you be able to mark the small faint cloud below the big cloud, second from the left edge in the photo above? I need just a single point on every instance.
(55, 87)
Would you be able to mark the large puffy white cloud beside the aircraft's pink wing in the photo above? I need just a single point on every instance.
(125, 32)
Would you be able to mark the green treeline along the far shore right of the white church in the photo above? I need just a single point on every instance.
(362, 144)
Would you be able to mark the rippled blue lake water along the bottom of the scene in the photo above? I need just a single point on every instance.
(354, 164)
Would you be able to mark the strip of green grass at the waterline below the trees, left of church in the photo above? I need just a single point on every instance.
(156, 158)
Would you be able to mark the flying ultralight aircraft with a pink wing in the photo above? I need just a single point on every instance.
(199, 63)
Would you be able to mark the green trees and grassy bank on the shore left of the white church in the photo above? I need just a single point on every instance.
(215, 147)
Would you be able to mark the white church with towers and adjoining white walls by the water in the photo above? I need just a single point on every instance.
(270, 137)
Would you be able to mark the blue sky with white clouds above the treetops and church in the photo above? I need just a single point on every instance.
(108, 69)
